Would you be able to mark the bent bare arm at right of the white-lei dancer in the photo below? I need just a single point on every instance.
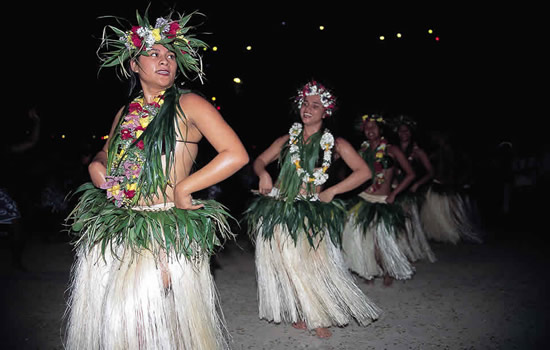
(360, 171)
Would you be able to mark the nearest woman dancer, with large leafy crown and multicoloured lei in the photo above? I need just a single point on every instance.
(141, 279)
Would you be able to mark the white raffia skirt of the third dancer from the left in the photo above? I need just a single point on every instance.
(376, 252)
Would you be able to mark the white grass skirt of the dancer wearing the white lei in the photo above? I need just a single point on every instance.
(299, 283)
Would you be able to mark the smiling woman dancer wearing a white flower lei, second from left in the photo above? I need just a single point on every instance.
(297, 224)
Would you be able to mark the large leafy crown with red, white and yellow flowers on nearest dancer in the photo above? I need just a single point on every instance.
(172, 34)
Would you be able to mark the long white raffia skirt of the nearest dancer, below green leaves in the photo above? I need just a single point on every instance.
(123, 302)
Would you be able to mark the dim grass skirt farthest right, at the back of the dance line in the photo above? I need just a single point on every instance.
(446, 217)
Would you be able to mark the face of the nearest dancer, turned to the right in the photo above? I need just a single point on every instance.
(158, 68)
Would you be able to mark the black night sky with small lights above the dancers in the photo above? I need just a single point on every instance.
(471, 83)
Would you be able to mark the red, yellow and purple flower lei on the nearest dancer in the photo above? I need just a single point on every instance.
(124, 174)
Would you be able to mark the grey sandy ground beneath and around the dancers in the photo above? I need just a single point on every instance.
(489, 296)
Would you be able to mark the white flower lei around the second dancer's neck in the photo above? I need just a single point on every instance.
(319, 176)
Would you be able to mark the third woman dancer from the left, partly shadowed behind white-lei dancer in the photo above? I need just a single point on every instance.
(370, 239)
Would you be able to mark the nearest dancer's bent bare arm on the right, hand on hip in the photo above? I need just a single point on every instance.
(231, 153)
